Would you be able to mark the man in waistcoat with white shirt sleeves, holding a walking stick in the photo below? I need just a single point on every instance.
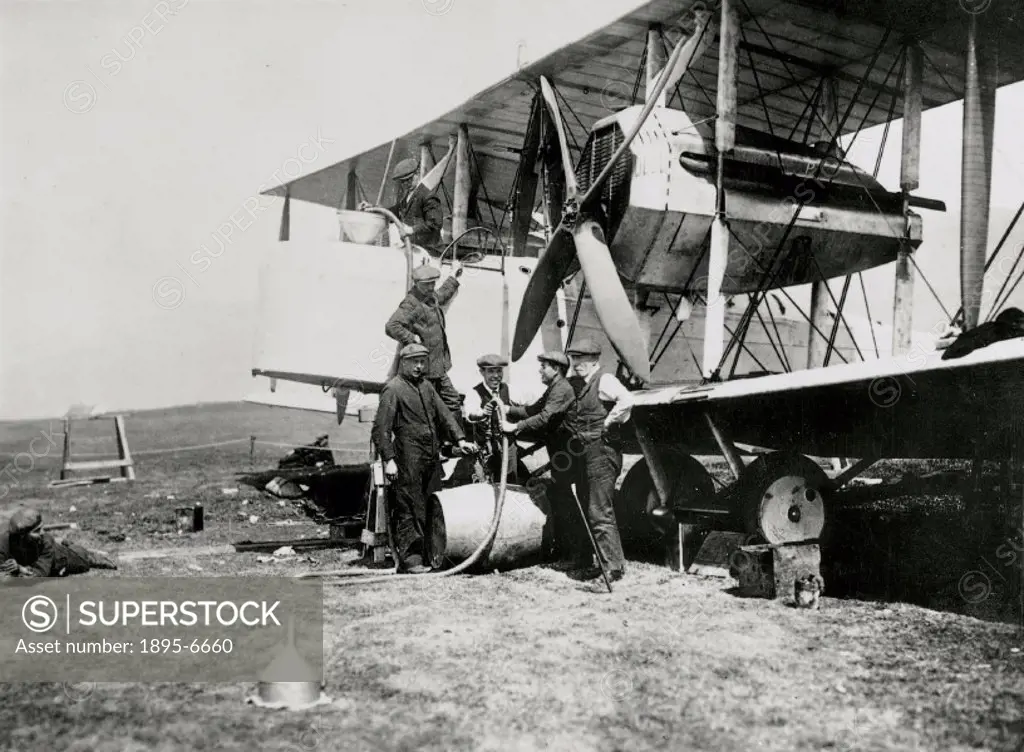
(601, 407)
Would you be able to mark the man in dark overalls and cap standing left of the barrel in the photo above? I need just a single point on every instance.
(411, 420)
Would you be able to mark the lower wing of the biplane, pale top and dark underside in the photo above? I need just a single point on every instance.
(918, 406)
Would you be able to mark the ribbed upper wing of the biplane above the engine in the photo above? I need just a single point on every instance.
(786, 50)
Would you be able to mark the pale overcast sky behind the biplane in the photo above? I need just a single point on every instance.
(130, 139)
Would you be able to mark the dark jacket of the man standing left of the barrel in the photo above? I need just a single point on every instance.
(410, 419)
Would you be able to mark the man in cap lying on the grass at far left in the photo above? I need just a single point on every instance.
(27, 552)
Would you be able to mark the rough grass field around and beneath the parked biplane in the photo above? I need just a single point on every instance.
(531, 659)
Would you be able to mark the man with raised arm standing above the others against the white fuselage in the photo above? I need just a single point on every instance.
(420, 319)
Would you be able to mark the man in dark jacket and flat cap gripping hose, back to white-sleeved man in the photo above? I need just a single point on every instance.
(546, 420)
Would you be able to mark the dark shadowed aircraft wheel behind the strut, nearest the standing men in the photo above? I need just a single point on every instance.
(643, 521)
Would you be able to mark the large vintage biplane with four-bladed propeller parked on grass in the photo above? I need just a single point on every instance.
(661, 185)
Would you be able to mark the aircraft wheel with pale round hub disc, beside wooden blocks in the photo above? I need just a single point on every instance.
(781, 496)
